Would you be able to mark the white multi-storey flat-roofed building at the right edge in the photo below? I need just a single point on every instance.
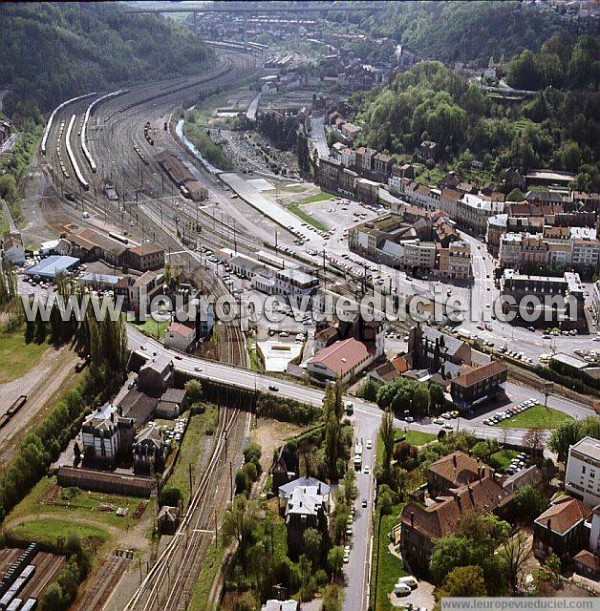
(582, 476)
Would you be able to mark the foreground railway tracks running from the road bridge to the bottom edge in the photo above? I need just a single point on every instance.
(169, 584)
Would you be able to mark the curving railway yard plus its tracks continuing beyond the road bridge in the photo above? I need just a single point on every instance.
(92, 141)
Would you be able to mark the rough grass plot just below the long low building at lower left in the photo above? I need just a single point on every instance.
(72, 504)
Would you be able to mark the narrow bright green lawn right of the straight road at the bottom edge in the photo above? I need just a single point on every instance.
(386, 566)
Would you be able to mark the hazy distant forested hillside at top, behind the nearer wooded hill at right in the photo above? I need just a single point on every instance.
(469, 32)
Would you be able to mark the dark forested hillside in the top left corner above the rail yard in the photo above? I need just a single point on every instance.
(52, 51)
